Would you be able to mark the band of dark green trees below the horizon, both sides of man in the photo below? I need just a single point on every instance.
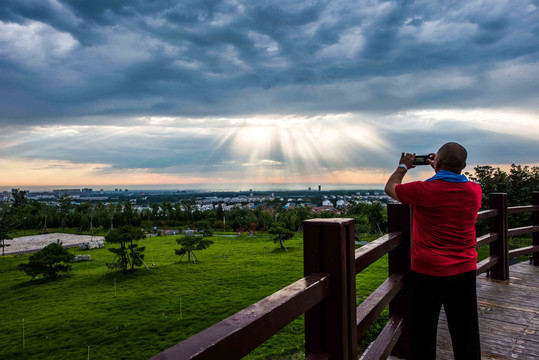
(22, 213)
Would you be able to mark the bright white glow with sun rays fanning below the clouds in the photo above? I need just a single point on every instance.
(300, 149)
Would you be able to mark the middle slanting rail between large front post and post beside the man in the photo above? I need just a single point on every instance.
(373, 306)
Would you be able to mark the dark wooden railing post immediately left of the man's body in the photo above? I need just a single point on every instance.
(400, 220)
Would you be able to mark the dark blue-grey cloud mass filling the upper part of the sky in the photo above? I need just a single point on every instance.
(201, 58)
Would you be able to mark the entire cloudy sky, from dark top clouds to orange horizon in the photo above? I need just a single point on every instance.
(228, 92)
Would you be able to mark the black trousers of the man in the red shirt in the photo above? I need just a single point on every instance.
(458, 295)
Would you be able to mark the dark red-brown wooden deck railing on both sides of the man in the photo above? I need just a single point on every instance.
(327, 293)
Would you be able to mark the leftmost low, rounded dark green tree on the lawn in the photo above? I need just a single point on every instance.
(52, 259)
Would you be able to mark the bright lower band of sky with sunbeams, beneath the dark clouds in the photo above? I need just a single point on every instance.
(267, 149)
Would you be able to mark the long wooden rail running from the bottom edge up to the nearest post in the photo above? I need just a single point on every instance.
(239, 334)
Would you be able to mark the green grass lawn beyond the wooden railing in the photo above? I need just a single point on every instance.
(138, 315)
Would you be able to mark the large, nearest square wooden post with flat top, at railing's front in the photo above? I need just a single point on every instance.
(330, 327)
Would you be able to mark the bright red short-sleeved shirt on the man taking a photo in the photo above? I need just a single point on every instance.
(444, 215)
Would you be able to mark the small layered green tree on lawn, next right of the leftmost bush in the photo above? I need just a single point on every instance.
(129, 253)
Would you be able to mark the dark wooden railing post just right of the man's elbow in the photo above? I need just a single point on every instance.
(498, 224)
